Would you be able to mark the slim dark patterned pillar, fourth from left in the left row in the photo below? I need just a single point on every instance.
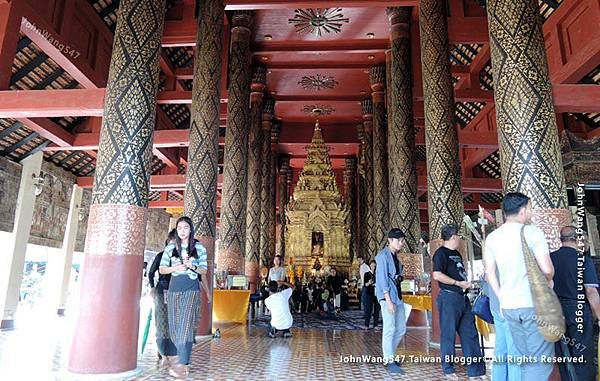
(255, 136)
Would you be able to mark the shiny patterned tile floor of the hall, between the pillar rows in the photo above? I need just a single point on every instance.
(248, 354)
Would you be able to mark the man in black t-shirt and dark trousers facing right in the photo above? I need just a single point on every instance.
(454, 307)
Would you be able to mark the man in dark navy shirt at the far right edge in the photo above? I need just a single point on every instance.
(575, 284)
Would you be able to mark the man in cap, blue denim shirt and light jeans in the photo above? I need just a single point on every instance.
(387, 290)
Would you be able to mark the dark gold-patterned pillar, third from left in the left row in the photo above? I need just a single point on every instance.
(233, 201)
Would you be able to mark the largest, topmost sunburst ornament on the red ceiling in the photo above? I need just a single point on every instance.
(318, 20)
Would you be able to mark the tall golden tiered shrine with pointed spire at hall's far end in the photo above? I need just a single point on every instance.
(317, 232)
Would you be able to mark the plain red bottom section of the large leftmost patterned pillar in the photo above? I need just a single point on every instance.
(105, 340)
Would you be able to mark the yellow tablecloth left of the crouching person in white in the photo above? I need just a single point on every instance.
(230, 306)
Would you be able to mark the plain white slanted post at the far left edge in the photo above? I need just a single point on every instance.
(13, 260)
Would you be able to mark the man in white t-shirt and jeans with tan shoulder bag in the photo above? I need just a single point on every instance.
(504, 253)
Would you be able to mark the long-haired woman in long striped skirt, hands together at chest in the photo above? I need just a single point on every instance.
(185, 260)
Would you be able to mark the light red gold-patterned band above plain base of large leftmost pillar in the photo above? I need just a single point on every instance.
(116, 230)
